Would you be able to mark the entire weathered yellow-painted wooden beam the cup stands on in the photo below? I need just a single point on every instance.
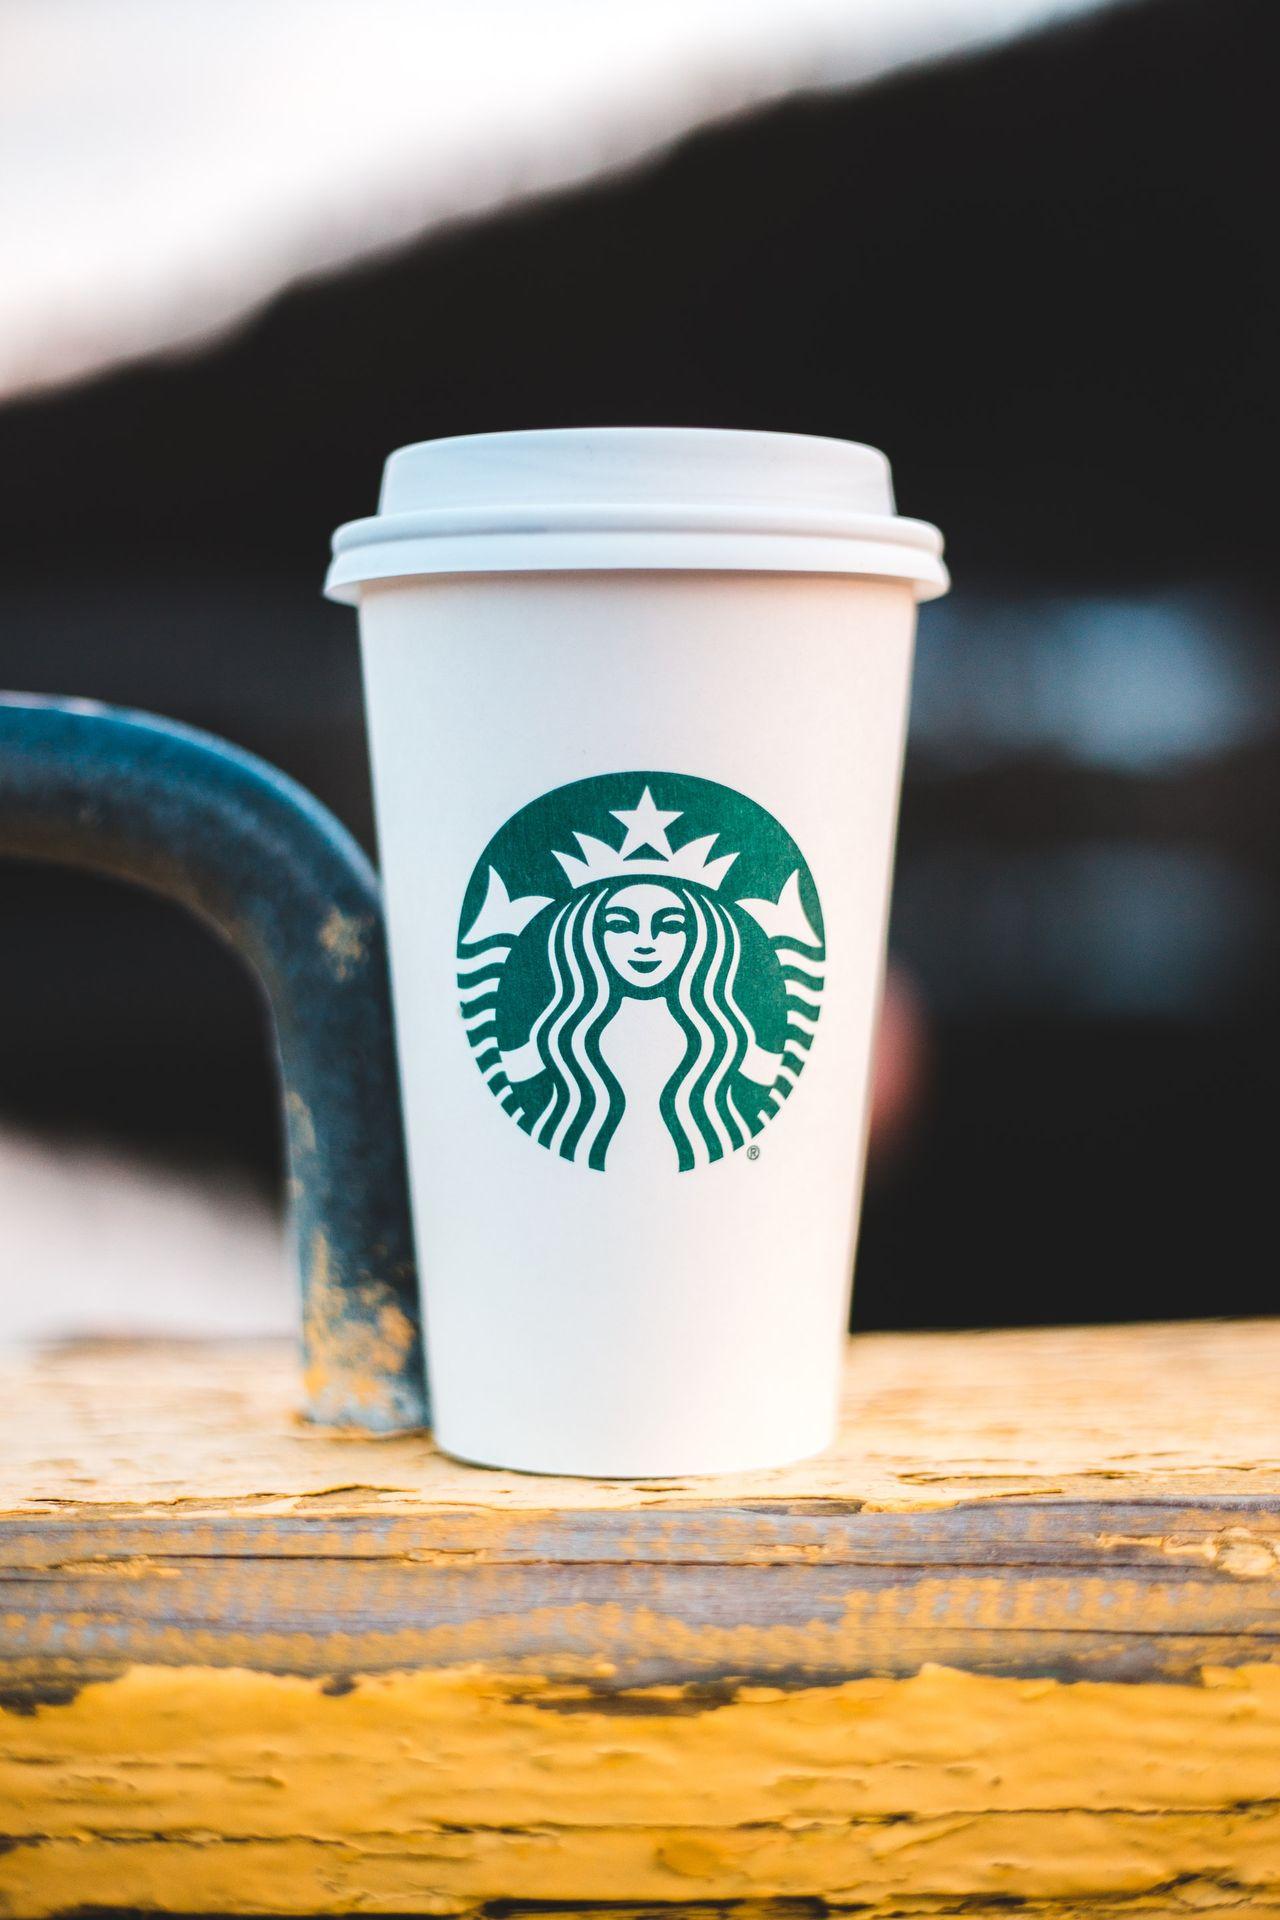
(1014, 1641)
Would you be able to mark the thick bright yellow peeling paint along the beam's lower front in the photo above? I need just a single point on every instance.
(433, 1792)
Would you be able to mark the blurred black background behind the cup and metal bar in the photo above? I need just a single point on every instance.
(1043, 279)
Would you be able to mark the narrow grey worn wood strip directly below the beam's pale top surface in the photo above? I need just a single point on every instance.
(1233, 1535)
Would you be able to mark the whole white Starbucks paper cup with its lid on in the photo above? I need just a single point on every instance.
(638, 704)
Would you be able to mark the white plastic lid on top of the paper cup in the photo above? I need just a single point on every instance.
(636, 498)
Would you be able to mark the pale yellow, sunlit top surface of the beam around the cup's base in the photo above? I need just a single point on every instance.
(928, 1422)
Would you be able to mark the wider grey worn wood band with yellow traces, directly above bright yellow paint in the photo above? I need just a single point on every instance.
(652, 1625)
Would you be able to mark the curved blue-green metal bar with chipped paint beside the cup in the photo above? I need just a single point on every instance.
(275, 875)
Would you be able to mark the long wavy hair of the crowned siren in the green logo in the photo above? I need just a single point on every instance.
(584, 1101)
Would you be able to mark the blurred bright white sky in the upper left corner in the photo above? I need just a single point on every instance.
(166, 168)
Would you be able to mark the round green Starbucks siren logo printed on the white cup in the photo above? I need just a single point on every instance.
(640, 971)
